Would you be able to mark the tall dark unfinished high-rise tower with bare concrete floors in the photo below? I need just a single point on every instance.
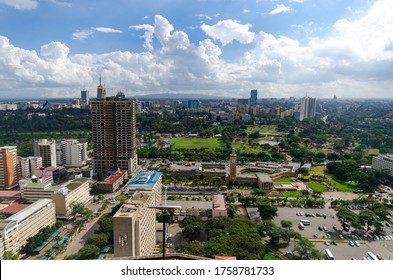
(114, 135)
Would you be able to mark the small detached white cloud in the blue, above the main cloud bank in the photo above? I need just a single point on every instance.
(227, 31)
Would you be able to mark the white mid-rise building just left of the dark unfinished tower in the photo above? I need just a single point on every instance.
(72, 153)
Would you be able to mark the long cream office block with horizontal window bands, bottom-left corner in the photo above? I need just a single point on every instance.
(15, 230)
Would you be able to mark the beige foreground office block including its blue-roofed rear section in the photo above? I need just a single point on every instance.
(134, 225)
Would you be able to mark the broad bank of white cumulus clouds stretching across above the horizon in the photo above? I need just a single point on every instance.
(355, 59)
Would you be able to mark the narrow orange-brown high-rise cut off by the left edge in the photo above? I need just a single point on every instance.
(8, 167)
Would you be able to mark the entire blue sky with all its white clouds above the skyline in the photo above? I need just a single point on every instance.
(282, 48)
